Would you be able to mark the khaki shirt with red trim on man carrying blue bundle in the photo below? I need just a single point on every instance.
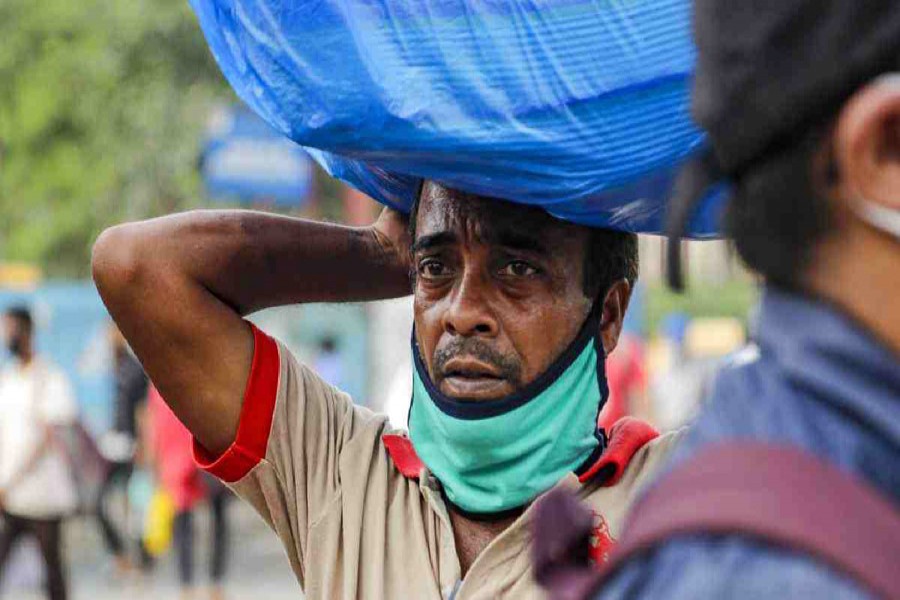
(315, 467)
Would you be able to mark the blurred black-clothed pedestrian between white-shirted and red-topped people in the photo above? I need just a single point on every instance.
(118, 446)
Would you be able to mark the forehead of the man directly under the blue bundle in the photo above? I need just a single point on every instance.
(445, 211)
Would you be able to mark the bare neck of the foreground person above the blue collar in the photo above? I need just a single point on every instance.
(860, 272)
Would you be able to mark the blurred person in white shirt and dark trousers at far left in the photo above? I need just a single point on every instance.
(36, 487)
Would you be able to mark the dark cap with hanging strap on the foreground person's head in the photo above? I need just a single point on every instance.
(770, 70)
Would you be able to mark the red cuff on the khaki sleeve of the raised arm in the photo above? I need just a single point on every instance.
(252, 439)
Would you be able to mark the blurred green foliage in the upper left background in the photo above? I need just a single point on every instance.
(103, 104)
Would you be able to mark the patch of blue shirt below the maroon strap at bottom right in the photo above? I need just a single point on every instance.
(727, 567)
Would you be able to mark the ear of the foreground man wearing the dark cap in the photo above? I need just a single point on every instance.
(867, 145)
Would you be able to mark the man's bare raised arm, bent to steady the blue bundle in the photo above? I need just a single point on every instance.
(178, 287)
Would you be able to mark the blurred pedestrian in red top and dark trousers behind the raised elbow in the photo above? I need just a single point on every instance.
(172, 457)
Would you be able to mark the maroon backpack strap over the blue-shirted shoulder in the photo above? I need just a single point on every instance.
(777, 494)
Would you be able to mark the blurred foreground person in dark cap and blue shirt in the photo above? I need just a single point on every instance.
(801, 100)
